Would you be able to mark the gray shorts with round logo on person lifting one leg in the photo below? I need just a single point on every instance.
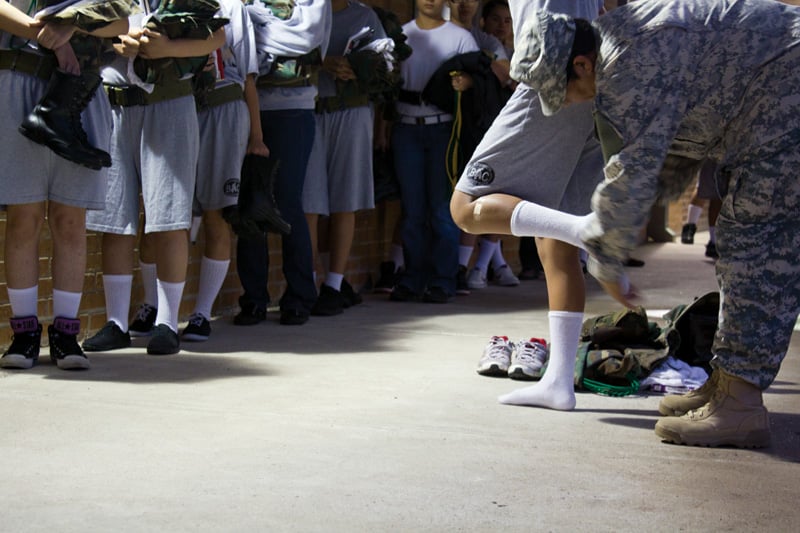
(552, 161)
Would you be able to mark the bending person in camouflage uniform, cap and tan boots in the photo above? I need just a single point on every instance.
(658, 121)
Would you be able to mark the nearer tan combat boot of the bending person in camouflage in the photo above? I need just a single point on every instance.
(734, 416)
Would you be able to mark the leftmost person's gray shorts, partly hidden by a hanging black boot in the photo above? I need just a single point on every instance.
(31, 172)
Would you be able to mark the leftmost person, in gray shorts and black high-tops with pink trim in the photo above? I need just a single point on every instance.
(38, 188)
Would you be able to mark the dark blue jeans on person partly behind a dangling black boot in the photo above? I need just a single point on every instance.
(289, 134)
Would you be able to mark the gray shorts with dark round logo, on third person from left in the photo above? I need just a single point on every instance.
(224, 131)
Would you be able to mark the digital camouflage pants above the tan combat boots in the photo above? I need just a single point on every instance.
(758, 238)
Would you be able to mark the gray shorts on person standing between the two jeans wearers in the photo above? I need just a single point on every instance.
(339, 175)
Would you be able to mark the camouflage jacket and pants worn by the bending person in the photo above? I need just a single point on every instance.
(685, 80)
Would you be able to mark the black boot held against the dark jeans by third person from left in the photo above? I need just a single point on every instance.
(256, 199)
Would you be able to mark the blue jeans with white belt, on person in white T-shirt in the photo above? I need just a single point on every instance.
(430, 237)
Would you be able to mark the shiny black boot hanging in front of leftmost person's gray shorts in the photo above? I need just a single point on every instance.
(56, 120)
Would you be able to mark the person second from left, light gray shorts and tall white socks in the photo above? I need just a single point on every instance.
(151, 157)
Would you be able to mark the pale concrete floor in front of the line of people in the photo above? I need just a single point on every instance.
(375, 420)
